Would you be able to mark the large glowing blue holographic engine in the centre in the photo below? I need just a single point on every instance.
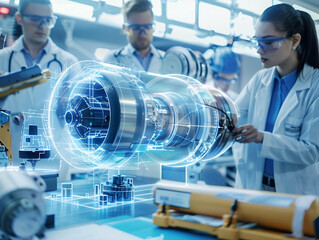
(105, 116)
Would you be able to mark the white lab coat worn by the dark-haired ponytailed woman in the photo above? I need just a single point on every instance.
(294, 143)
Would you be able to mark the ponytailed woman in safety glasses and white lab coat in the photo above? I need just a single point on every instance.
(288, 143)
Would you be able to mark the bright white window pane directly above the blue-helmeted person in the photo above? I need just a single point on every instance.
(215, 18)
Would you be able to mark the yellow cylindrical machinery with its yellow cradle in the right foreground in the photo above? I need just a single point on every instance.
(275, 216)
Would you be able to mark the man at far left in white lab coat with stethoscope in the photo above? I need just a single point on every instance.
(33, 47)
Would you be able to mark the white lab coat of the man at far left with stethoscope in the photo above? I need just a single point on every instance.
(33, 98)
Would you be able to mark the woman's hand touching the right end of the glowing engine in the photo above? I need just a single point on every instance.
(247, 134)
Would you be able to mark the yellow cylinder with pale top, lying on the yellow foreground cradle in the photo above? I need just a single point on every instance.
(270, 210)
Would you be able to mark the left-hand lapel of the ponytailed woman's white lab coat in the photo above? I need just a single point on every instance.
(262, 101)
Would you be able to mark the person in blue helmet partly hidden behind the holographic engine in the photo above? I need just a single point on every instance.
(225, 66)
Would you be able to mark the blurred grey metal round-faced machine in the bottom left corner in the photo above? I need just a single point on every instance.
(22, 208)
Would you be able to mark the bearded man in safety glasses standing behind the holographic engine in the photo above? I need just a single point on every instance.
(139, 53)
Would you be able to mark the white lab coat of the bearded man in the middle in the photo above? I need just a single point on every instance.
(125, 58)
